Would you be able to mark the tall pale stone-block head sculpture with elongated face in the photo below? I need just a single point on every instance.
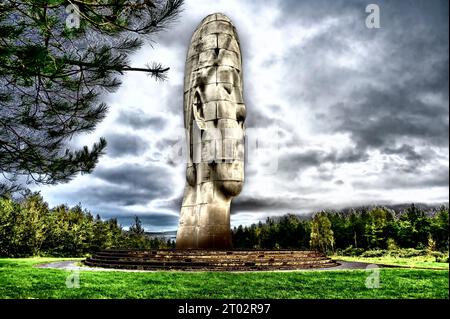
(214, 114)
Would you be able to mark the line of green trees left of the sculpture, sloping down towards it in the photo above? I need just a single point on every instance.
(29, 228)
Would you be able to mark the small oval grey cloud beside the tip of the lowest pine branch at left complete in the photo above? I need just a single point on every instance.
(125, 144)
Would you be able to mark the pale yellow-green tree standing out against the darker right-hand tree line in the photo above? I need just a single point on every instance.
(322, 237)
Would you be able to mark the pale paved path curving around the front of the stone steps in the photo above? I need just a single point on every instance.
(72, 265)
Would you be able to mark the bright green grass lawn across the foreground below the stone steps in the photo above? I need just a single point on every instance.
(19, 279)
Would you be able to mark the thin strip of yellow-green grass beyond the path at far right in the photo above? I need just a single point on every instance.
(412, 262)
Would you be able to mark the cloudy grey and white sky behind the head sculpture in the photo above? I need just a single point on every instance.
(357, 116)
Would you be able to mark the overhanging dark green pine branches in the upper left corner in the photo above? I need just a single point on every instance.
(52, 75)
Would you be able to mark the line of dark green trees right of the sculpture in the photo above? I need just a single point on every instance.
(365, 228)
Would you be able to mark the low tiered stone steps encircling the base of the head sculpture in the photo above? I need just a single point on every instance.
(236, 260)
